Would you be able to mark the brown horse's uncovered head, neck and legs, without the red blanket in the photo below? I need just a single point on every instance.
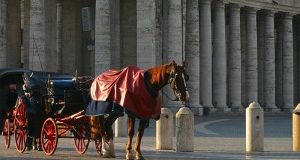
(155, 79)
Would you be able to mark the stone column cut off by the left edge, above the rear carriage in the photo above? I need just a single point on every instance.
(3, 31)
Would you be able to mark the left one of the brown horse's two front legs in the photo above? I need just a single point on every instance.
(130, 125)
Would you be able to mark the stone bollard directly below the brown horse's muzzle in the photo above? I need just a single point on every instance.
(184, 130)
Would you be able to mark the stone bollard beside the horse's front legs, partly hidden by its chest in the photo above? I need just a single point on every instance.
(164, 130)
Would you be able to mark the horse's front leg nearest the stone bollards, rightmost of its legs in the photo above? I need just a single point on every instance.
(138, 154)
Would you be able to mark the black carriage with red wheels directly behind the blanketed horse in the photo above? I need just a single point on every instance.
(65, 101)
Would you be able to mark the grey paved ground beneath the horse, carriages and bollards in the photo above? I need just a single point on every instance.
(216, 137)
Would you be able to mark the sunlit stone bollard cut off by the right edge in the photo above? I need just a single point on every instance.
(296, 129)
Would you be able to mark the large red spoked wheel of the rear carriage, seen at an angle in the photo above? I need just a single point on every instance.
(20, 132)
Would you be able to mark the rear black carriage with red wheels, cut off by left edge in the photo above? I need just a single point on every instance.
(13, 119)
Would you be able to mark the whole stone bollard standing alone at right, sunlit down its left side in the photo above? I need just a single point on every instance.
(254, 128)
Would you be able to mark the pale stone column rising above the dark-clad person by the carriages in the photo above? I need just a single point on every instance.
(37, 42)
